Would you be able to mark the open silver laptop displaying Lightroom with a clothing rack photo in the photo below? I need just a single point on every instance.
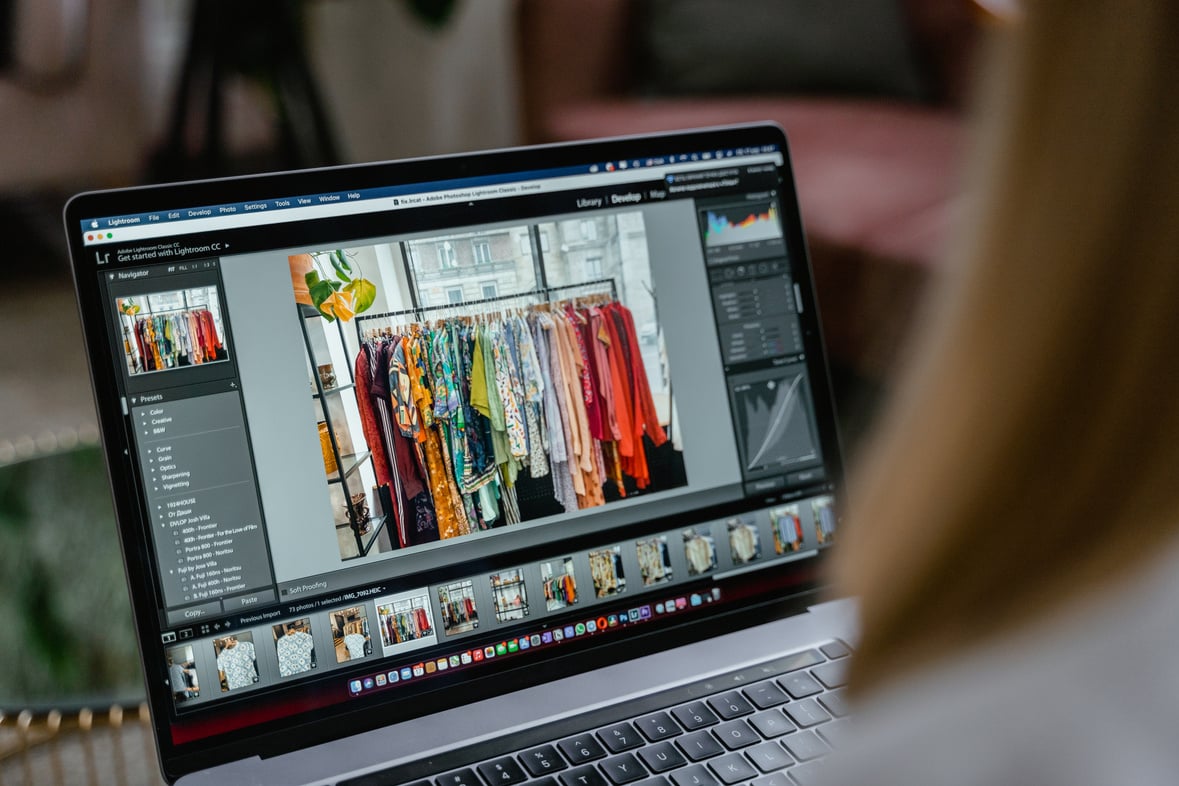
(513, 467)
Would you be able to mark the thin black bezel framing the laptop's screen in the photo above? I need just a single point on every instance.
(796, 584)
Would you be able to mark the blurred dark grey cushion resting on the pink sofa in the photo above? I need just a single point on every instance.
(779, 47)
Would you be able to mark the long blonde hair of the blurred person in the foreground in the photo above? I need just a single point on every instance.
(1031, 453)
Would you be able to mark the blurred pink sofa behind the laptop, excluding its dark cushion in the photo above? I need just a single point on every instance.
(877, 179)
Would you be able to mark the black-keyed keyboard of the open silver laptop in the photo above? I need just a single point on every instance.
(767, 725)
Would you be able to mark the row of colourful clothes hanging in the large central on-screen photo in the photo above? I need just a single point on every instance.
(459, 409)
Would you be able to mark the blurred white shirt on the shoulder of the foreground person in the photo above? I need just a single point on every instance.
(1091, 697)
